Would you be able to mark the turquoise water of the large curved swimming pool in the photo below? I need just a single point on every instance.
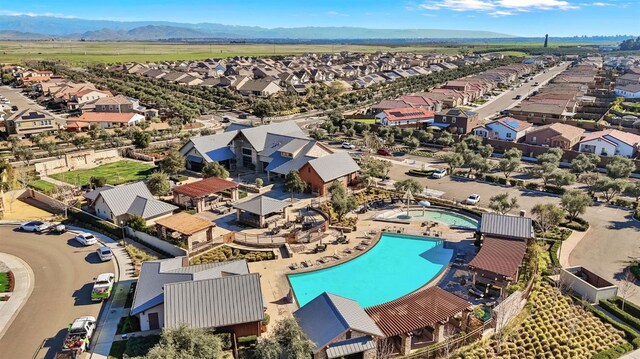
(396, 266)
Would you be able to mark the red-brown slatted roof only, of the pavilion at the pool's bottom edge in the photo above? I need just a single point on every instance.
(416, 311)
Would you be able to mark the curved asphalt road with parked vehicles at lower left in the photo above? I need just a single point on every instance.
(64, 274)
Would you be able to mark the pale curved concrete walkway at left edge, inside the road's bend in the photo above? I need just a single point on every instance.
(24, 282)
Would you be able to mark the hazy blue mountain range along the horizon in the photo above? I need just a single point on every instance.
(45, 27)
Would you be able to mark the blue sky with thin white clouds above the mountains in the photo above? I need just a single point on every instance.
(513, 17)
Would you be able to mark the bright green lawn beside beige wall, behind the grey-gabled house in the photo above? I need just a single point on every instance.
(115, 173)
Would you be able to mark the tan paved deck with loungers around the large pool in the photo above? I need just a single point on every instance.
(275, 285)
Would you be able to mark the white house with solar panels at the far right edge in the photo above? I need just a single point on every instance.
(610, 142)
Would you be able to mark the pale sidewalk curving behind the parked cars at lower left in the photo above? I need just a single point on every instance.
(114, 308)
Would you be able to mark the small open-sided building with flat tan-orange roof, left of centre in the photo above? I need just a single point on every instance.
(194, 232)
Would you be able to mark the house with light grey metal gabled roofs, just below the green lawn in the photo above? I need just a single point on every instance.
(119, 203)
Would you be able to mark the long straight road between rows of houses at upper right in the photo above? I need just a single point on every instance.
(507, 100)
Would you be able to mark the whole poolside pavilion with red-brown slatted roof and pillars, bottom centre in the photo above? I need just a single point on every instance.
(421, 318)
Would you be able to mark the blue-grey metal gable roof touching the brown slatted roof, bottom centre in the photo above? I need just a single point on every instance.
(339, 314)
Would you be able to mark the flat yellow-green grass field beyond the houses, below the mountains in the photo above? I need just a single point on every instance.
(83, 53)
